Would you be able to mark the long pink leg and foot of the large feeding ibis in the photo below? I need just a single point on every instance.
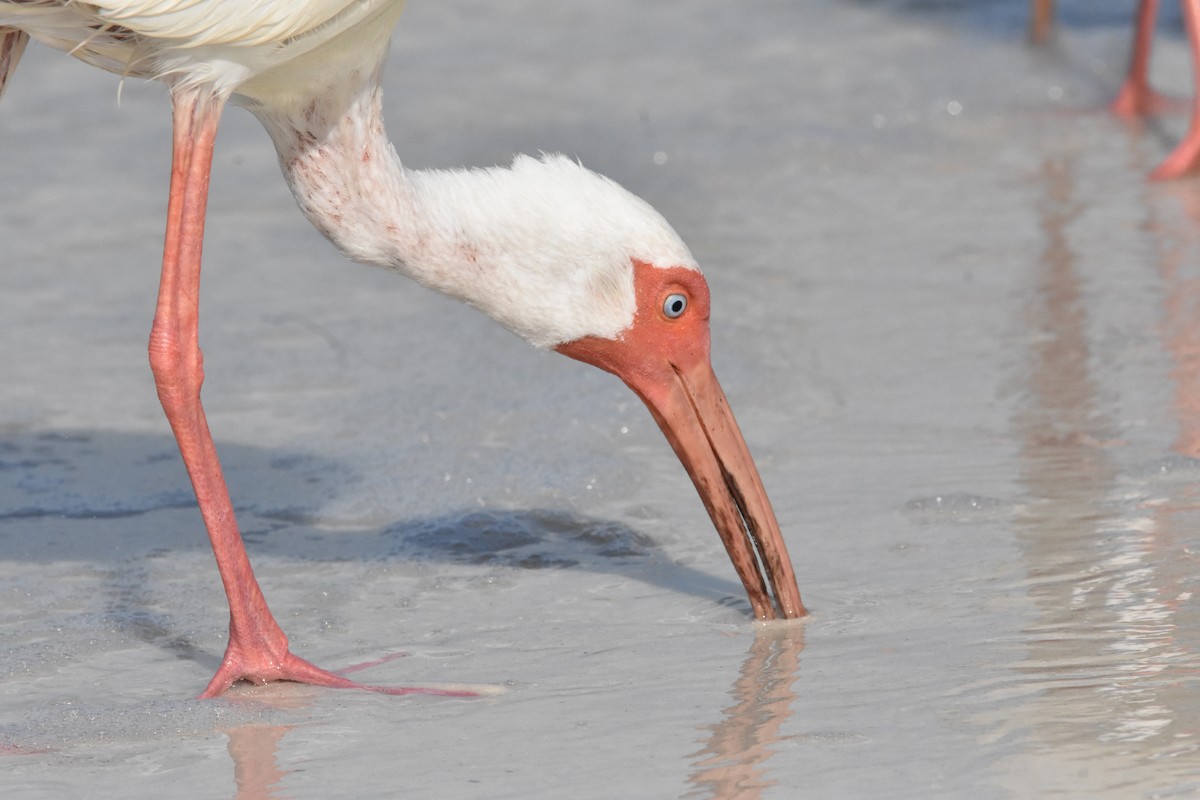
(259, 649)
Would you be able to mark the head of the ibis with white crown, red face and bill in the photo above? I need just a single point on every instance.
(571, 261)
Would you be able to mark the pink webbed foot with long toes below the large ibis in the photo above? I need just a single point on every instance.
(263, 665)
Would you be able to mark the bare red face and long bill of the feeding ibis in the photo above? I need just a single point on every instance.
(667, 363)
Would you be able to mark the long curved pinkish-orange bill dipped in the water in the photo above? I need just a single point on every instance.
(697, 419)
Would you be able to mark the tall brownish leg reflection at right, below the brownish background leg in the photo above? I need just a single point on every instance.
(1069, 473)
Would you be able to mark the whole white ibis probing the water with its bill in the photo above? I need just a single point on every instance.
(559, 255)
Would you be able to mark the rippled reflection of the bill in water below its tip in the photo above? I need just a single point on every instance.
(733, 763)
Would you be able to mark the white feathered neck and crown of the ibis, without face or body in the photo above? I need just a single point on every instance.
(545, 248)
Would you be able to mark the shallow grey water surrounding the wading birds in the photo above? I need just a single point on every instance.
(957, 326)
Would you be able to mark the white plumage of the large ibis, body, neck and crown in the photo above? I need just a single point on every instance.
(545, 248)
